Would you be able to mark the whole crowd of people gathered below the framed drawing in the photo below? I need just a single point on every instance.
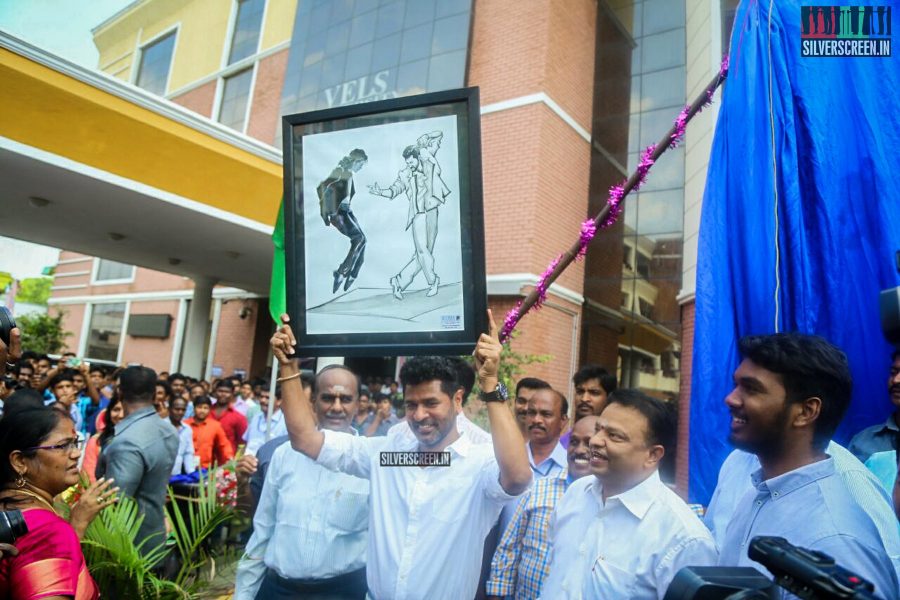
(387, 490)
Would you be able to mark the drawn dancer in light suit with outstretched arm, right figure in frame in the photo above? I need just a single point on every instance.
(425, 188)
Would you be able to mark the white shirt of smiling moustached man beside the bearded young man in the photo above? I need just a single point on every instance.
(631, 546)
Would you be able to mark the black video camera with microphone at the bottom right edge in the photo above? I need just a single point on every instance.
(809, 574)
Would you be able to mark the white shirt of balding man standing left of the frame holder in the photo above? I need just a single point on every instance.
(311, 523)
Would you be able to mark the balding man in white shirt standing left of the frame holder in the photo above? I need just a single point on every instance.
(310, 528)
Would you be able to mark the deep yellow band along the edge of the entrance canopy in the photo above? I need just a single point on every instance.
(49, 110)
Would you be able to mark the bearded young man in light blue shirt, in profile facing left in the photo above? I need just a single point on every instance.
(791, 392)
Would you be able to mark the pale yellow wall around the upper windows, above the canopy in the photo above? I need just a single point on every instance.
(201, 38)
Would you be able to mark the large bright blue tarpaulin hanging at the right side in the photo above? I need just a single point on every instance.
(801, 218)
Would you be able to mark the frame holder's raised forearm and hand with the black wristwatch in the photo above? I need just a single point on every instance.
(509, 445)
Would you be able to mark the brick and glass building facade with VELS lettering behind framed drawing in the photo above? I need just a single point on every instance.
(572, 91)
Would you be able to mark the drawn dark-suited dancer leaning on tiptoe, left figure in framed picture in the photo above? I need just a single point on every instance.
(335, 194)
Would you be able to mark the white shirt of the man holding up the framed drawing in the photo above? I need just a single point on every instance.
(426, 525)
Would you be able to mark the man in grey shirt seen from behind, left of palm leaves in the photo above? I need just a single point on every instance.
(141, 455)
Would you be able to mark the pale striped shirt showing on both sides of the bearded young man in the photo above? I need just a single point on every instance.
(735, 482)
